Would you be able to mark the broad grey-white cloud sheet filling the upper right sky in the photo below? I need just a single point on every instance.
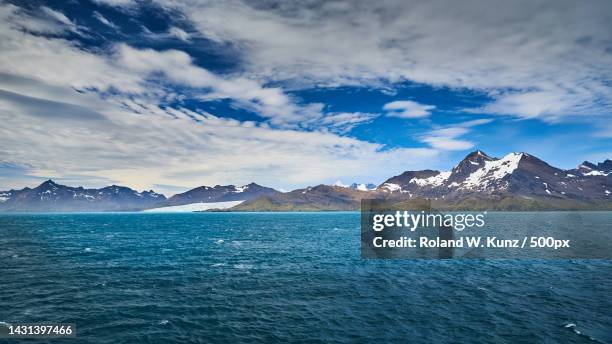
(547, 47)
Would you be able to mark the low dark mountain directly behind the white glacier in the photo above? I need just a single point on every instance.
(220, 193)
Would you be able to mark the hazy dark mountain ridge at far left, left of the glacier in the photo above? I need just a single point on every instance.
(50, 196)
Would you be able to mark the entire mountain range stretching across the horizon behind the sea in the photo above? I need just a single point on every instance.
(517, 181)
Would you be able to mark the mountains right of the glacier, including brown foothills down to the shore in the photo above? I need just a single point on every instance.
(517, 181)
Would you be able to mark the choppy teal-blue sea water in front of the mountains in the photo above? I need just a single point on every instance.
(277, 278)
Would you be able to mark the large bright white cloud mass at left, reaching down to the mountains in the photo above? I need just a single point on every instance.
(98, 137)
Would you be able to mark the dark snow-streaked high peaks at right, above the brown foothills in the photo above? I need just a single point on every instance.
(516, 174)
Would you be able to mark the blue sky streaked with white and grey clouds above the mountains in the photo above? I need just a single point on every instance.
(173, 94)
